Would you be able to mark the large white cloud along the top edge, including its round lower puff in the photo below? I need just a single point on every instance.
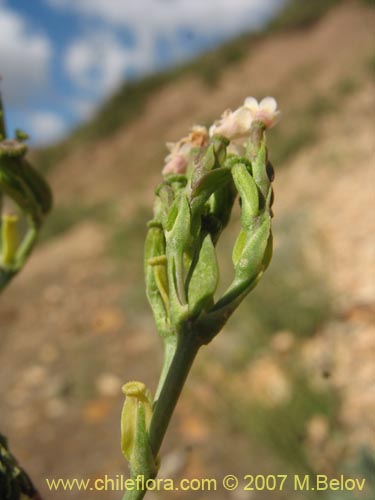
(100, 60)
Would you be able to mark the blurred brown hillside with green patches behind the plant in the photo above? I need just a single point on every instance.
(288, 384)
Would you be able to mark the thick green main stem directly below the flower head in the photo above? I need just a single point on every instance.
(187, 348)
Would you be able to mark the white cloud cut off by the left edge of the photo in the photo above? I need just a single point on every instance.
(24, 58)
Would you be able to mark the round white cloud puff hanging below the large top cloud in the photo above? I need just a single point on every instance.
(96, 62)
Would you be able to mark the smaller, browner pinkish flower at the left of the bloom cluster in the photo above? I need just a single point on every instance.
(179, 152)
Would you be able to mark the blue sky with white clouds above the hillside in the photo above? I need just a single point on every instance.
(59, 59)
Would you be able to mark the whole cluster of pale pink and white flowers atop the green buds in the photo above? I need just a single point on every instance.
(234, 125)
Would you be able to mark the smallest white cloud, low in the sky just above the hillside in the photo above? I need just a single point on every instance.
(45, 127)
